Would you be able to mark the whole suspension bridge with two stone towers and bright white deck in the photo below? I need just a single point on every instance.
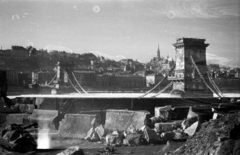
(188, 78)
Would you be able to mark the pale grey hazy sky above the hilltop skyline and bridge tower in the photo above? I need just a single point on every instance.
(131, 28)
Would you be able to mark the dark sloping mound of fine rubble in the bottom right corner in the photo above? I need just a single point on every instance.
(216, 137)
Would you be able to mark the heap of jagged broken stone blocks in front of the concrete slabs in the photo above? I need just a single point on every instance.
(156, 130)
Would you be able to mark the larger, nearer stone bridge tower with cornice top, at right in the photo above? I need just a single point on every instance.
(187, 81)
